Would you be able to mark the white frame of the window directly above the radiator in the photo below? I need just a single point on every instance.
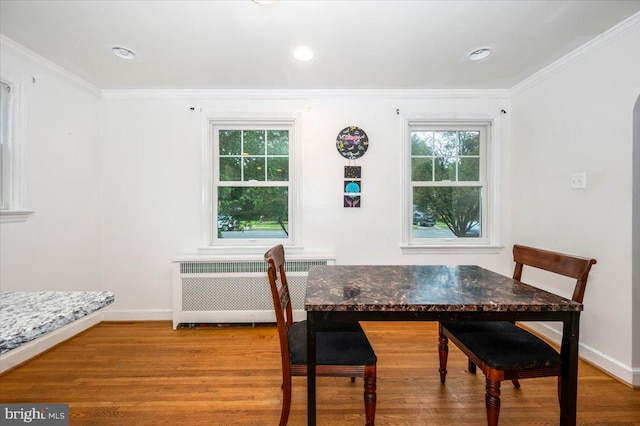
(249, 121)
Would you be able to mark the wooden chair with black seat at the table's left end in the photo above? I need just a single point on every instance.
(342, 349)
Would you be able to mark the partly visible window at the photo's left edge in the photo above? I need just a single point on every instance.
(11, 164)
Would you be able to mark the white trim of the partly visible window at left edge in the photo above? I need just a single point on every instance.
(13, 158)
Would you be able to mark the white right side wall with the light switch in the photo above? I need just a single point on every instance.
(580, 119)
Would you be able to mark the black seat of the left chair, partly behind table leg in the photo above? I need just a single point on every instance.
(345, 344)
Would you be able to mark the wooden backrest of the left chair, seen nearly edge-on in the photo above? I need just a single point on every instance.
(281, 297)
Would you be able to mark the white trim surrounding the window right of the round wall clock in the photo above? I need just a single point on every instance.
(490, 243)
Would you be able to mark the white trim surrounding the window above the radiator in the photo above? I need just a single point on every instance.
(243, 246)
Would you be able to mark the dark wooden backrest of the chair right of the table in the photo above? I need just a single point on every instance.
(559, 263)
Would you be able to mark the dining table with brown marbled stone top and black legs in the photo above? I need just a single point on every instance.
(437, 293)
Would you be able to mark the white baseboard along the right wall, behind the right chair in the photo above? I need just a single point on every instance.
(611, 365)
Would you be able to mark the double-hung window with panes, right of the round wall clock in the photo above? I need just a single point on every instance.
(449, 192)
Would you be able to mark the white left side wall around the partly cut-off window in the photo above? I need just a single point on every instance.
(59, 246)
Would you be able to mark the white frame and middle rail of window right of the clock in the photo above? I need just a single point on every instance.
(489, 152)
